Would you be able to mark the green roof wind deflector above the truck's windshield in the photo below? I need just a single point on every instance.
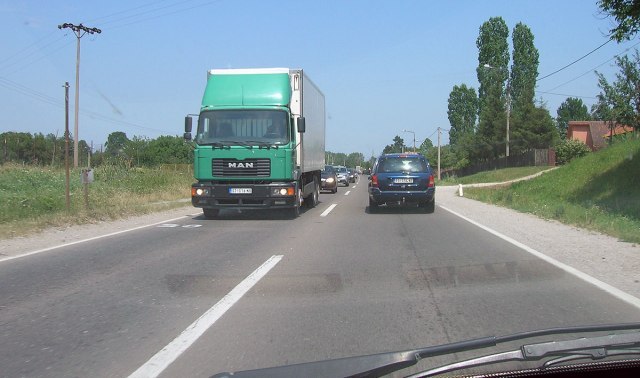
(247, 90)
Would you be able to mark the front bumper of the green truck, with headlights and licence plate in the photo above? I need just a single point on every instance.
(243, 196)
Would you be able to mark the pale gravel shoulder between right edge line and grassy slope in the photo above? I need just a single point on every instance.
(601, 256)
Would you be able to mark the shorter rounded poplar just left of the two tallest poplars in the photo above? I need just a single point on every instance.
(462, 111)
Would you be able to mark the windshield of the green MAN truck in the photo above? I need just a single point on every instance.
(243, 126)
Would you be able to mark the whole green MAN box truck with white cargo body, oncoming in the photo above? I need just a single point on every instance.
(259, 141)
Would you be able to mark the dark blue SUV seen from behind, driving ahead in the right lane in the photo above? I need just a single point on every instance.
(402, 179)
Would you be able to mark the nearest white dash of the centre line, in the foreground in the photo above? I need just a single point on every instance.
(161, 360)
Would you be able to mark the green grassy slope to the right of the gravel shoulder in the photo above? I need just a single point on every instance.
(600, 191)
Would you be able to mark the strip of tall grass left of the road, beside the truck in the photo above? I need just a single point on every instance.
(33, 198)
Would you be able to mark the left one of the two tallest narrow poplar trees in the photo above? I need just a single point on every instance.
(492, 71)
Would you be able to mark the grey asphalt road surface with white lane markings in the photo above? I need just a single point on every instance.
(341, 283)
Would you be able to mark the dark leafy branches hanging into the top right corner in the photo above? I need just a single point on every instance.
(627, 15)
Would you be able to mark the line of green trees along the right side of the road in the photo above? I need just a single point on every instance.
(506, 96)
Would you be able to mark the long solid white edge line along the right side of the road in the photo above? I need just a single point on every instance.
(628, 298)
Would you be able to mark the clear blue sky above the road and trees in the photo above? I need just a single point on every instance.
(384, 66)
